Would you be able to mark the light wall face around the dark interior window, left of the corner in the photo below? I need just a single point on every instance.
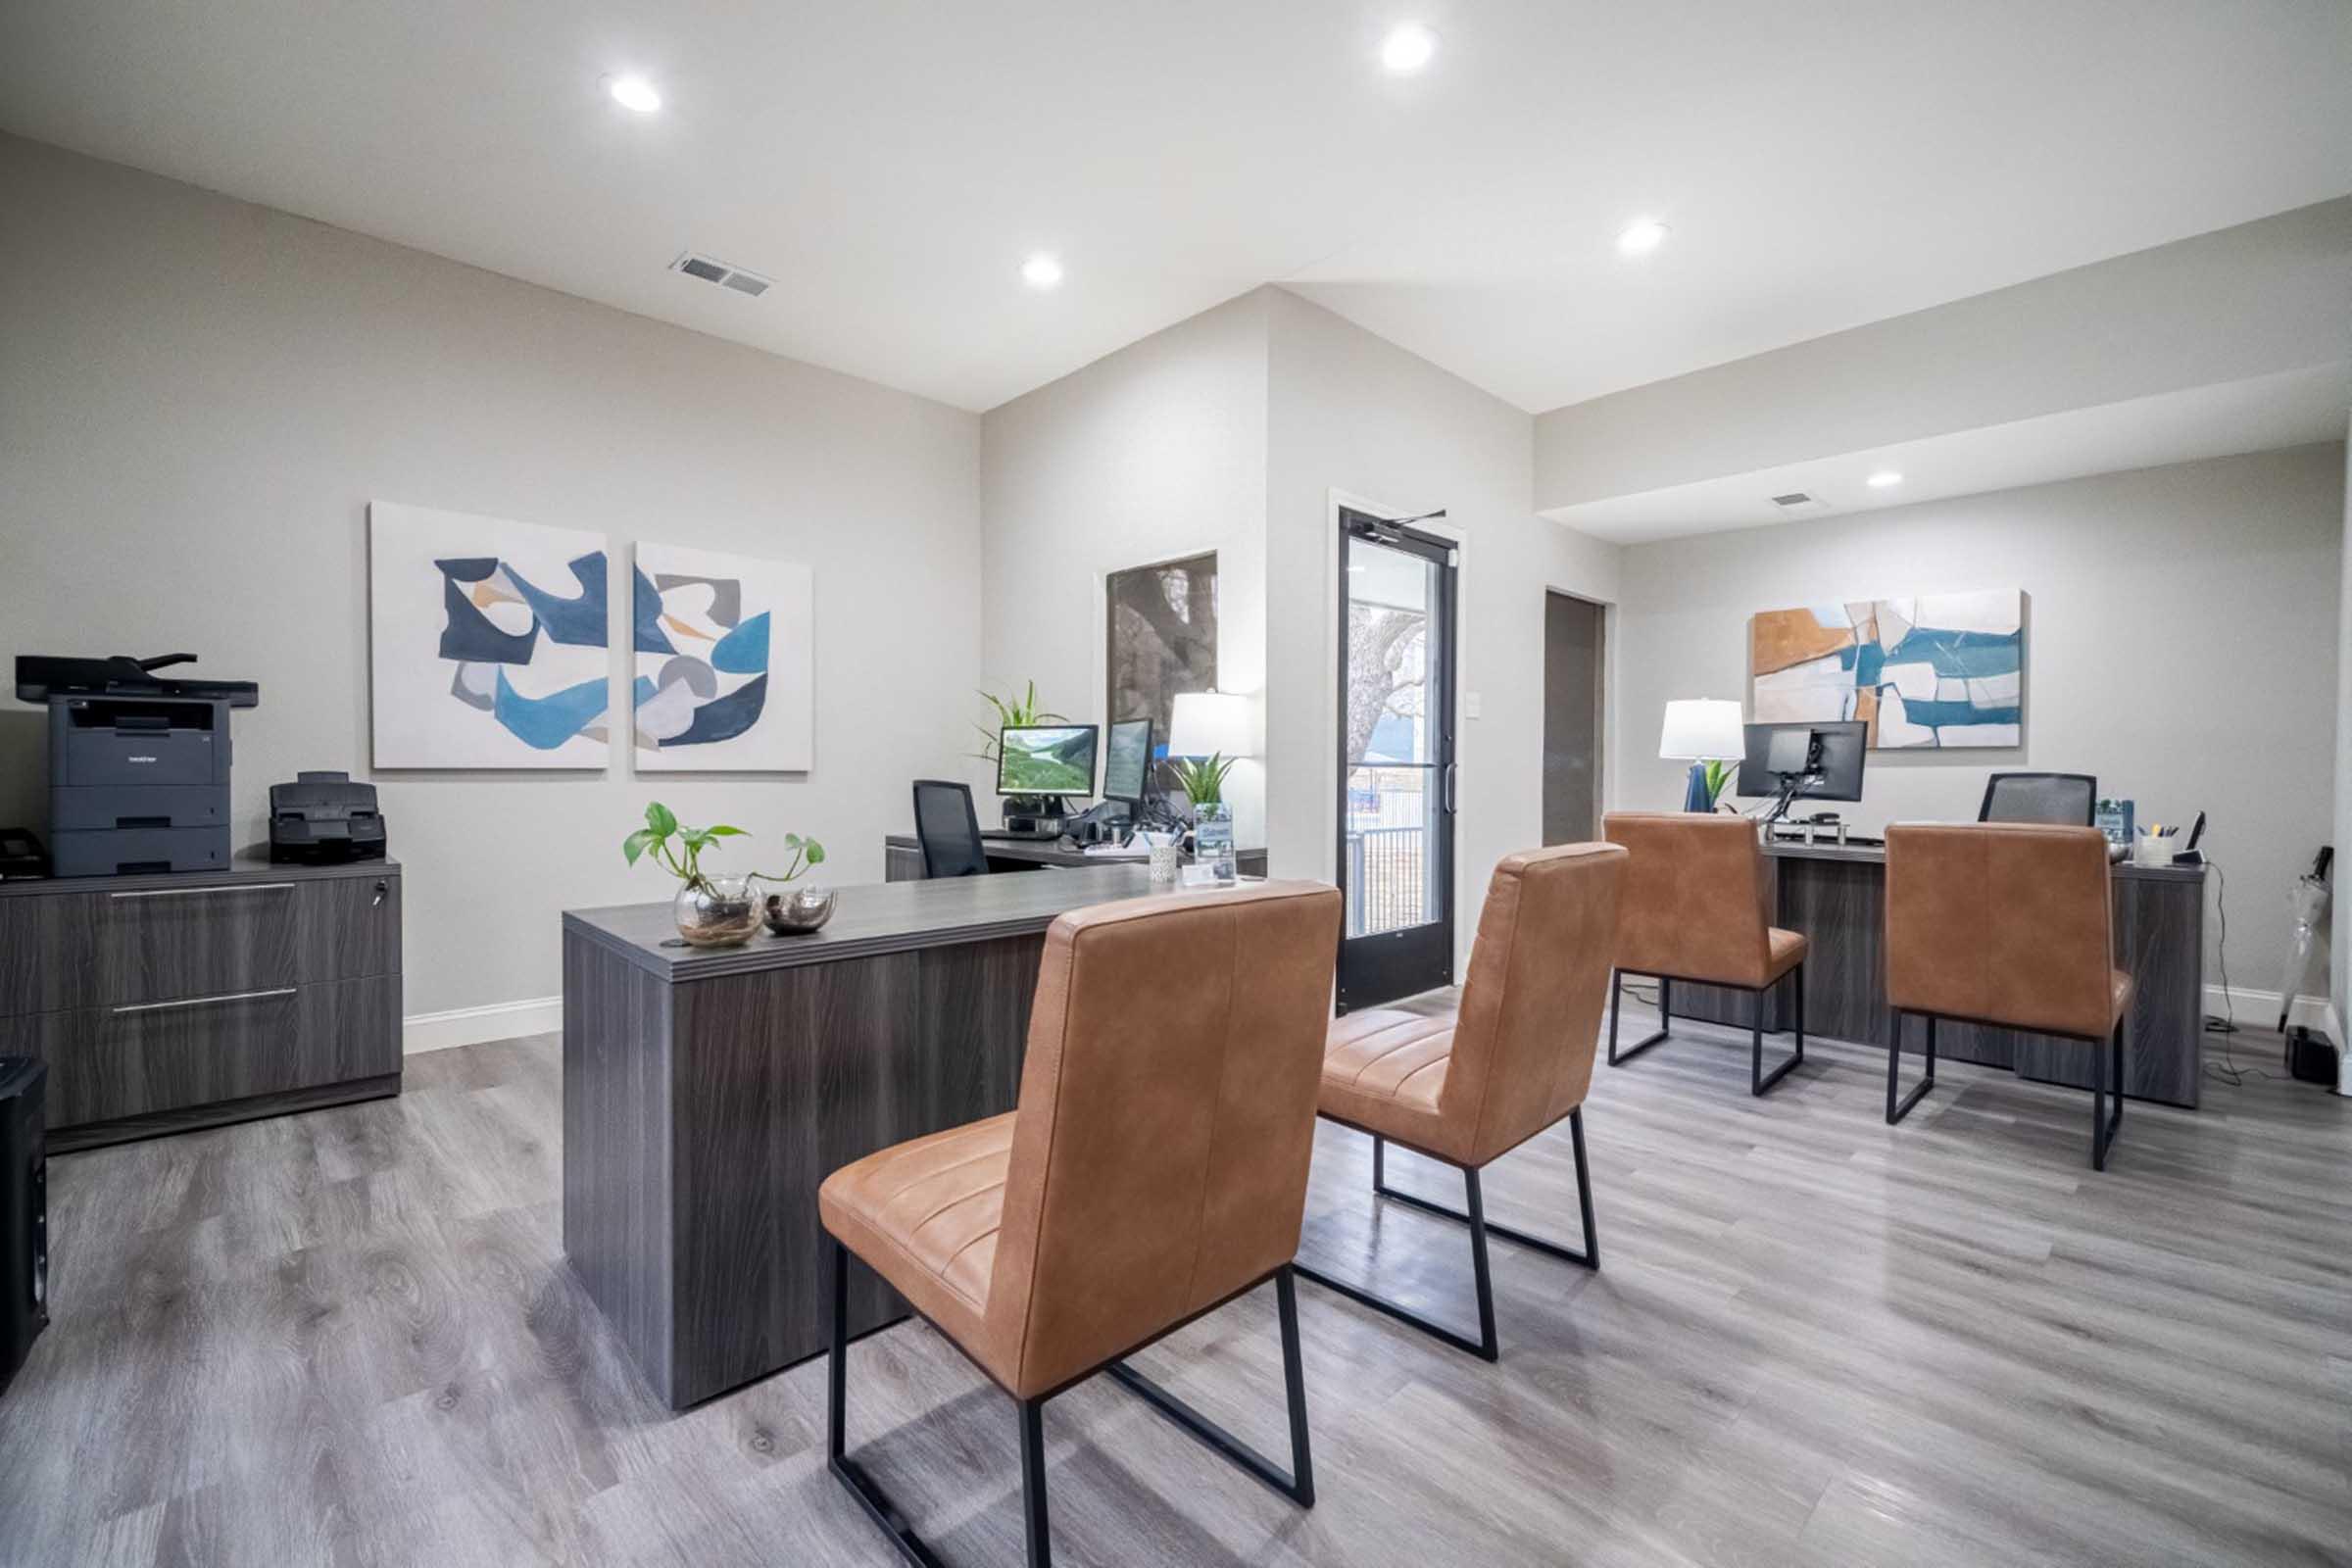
(1142, 457)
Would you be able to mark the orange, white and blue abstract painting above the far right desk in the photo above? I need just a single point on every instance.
(1932, 671)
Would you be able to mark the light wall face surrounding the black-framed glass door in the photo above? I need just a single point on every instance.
(1361, 417)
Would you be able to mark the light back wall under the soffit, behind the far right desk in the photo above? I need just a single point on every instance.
(2181, 645)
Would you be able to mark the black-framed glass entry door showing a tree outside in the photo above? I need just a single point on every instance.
(1396, 760)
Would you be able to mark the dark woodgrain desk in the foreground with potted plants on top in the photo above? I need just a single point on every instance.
(709, 1092)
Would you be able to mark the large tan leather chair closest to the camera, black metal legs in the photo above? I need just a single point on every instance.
(1154, 1172)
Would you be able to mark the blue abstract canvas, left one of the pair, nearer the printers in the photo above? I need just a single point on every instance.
(488, 643)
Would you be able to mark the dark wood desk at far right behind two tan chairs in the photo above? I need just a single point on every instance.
(1838, 899)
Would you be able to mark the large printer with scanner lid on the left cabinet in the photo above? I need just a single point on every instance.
(138, 763)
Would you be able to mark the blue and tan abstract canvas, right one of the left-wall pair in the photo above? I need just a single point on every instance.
(726, 662)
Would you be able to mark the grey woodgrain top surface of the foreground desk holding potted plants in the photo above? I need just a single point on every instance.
(869, 920)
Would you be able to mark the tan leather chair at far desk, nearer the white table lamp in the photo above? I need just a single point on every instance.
(1699, 909)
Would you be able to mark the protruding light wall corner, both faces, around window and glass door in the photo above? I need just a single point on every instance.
(1234, 431)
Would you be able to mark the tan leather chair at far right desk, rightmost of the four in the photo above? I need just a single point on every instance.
(2007, 925)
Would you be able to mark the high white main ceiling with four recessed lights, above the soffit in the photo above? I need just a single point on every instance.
(890, 163)
